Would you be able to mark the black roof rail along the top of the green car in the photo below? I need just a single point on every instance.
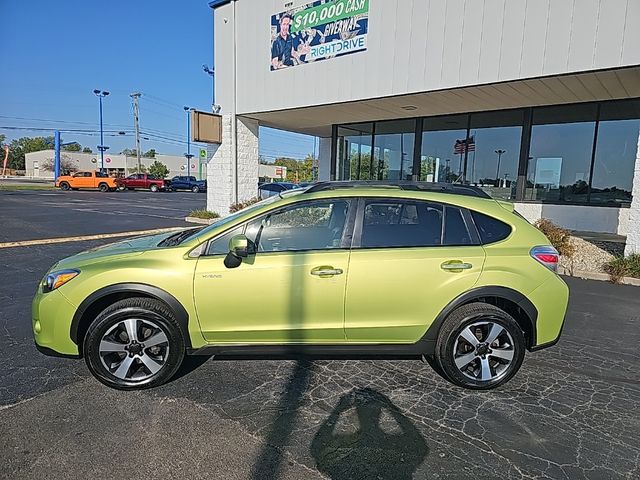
(452, 188)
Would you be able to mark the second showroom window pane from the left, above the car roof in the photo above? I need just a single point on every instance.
(393, 151)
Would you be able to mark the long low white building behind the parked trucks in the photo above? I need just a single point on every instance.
(40, 164)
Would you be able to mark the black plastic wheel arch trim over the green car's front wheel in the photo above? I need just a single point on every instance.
(176, 307)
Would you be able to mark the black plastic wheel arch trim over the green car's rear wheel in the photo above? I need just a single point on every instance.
(514, 296)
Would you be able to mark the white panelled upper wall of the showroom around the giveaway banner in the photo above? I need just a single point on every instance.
(423, 45)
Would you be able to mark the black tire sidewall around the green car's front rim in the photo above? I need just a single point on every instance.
(105, 321)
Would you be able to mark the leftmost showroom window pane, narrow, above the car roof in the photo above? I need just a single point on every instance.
(355, 161)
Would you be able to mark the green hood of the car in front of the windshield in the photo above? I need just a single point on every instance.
(133, 246)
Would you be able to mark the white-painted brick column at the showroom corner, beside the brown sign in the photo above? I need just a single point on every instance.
(232, 169)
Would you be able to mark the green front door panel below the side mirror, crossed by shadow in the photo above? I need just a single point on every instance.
(274, 298)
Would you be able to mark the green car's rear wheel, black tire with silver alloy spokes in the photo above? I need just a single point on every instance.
(481, 318)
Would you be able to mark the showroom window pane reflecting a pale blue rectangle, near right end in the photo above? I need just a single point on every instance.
(560, 153)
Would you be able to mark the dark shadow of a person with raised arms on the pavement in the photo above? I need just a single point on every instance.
(366, 436)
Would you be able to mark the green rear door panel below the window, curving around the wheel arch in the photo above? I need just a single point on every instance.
(394, 294)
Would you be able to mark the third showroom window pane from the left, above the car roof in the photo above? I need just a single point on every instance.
(440, 160)
